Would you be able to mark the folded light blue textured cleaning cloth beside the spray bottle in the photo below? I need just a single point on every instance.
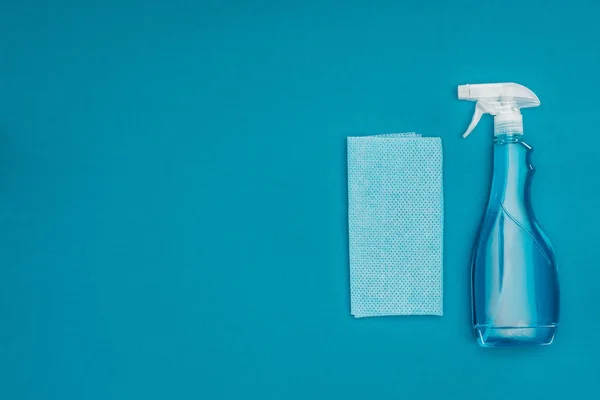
(395, 221)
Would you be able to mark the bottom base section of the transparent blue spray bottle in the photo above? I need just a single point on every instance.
(512, 336)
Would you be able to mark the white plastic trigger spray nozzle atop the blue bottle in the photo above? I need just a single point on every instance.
(503, 101)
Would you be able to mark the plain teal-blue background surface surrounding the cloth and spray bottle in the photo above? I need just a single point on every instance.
(173, 195)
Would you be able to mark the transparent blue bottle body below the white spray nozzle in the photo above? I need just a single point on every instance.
(515, 289)
